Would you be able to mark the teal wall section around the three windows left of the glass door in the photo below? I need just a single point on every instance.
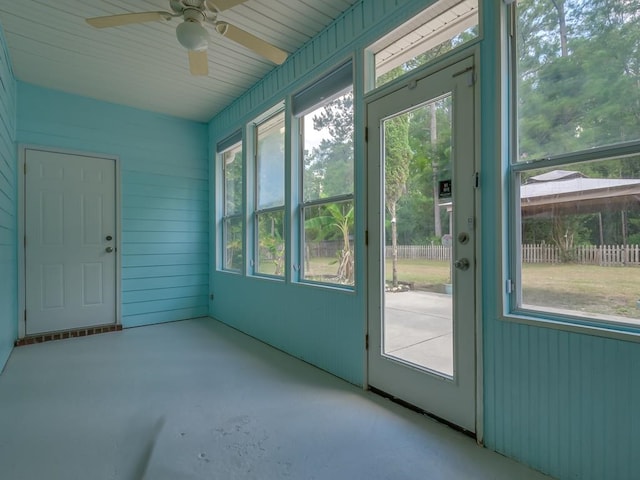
(323, 326)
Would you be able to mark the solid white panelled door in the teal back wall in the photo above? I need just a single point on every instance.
(70, 241)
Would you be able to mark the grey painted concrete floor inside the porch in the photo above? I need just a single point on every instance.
(198, 400)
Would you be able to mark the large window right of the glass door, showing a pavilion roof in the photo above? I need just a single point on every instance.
(576, 163)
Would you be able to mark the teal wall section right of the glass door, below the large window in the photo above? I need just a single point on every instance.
(564, 403)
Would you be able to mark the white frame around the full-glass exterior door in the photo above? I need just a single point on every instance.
(407, 81)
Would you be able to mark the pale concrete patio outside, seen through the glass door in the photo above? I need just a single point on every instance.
(419, 329)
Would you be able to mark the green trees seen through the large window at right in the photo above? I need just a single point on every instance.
(579, 88)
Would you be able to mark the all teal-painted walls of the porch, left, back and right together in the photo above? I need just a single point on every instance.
(564, 403)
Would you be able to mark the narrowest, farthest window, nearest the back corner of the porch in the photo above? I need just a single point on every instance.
(230, 157)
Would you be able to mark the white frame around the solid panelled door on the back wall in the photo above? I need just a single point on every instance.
(22, 294)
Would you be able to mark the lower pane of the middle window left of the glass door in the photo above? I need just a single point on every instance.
(271, 243)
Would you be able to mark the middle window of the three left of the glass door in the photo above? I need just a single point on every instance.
(269, 197)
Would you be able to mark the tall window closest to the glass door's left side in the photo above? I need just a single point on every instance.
(325, 115)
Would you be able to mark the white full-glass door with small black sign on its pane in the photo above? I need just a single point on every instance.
(422, 302)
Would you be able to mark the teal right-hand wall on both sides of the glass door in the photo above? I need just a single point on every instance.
(564, 403)
